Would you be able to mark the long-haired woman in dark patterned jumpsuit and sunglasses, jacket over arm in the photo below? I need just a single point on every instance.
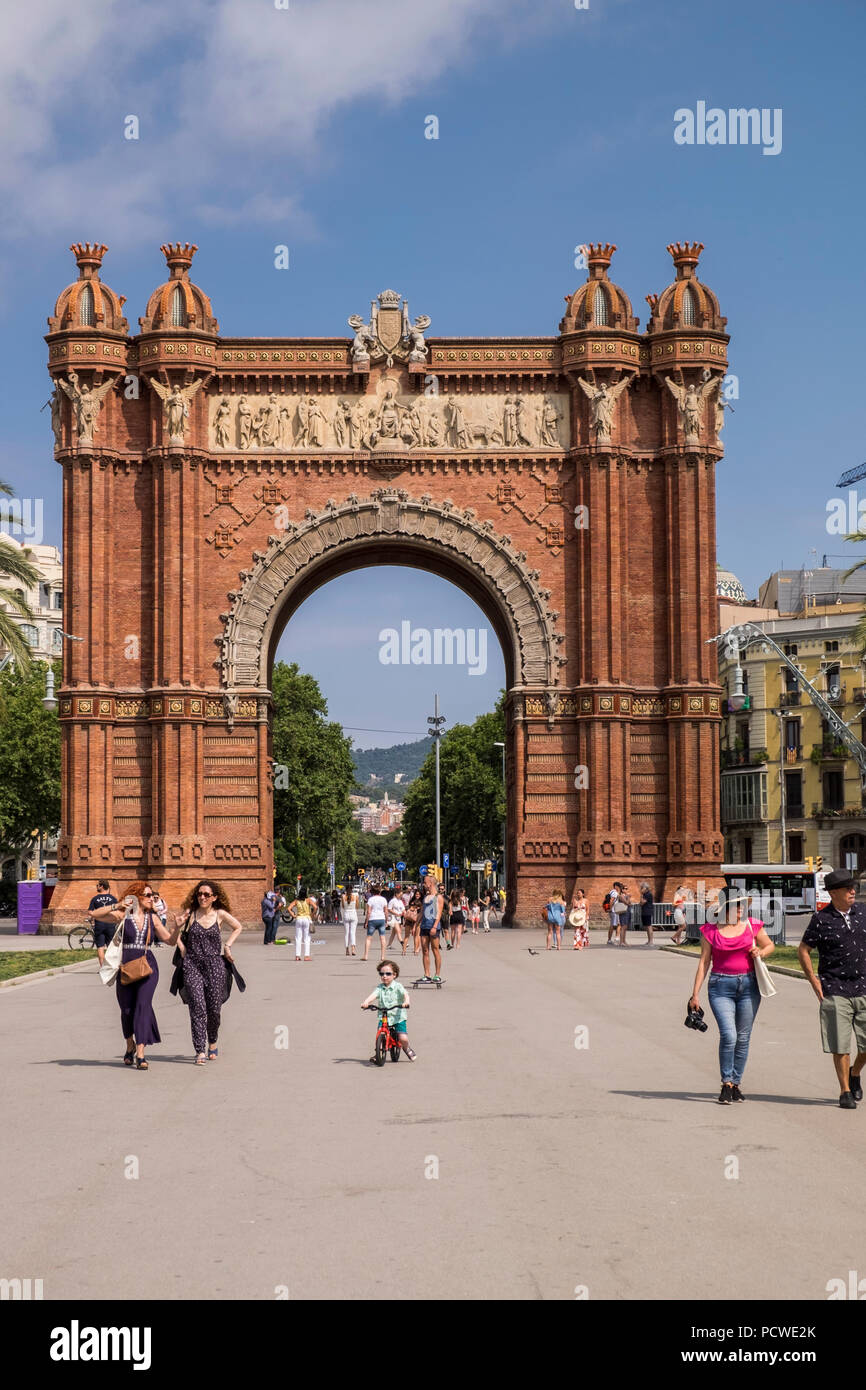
(204, 914)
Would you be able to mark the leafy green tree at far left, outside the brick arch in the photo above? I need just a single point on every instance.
(30, 757)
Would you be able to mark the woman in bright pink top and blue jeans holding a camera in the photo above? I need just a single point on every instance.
(733, 989)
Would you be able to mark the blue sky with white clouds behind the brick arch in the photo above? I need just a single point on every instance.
(305, 127)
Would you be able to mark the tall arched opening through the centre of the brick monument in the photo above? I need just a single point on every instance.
(382, 641)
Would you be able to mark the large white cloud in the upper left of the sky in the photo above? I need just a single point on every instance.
(227, 92)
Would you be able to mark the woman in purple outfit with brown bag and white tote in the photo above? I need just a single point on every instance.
(136, 999)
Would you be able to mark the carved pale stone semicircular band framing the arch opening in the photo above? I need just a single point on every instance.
(393, 522)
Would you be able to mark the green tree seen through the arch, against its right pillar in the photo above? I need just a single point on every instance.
(472, 794)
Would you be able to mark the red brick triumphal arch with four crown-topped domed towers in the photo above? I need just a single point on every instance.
(212, 484)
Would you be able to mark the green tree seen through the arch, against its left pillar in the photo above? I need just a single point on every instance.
(313, 778)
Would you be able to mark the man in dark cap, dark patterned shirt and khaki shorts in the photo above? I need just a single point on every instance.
(839, 935)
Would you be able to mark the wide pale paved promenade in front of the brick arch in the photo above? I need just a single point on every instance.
(558, 1167)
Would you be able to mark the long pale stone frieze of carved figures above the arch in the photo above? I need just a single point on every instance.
(390, 419)
